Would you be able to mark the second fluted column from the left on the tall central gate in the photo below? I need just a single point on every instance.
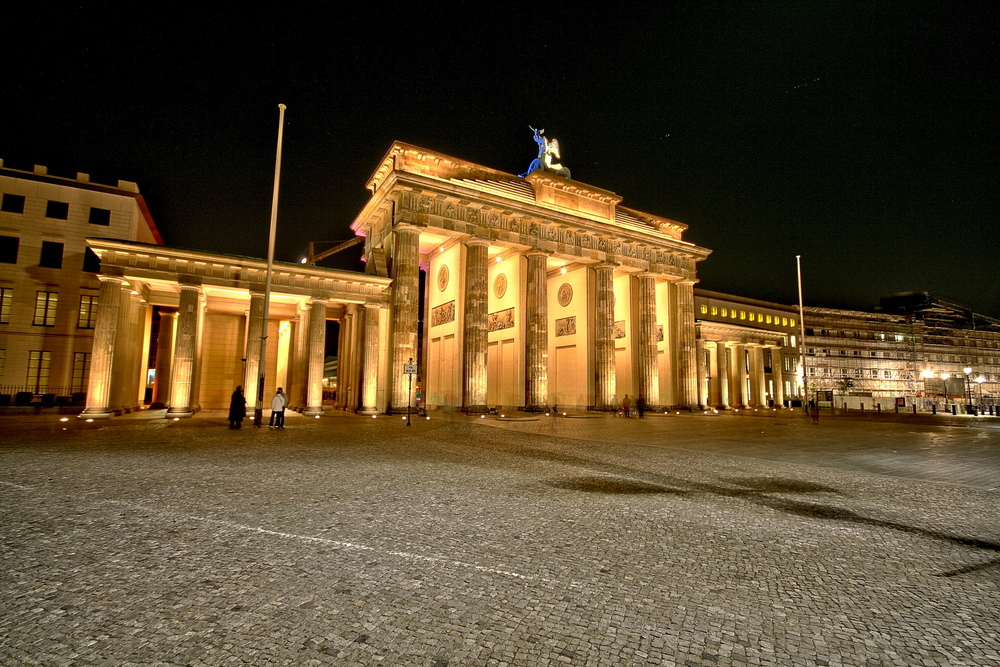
(475, 330)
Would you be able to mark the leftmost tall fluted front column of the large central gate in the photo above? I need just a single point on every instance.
(405, 303)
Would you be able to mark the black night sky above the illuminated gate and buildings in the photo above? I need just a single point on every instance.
(861, 135)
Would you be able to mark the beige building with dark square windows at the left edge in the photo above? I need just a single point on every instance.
(49, 285)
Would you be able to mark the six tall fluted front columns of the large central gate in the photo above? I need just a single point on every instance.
(475, 332)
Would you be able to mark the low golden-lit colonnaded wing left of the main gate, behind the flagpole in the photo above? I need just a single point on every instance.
(210, 309)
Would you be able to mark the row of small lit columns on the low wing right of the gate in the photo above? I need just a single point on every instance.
(740, 379)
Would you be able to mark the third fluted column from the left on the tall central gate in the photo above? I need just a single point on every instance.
(536, 334)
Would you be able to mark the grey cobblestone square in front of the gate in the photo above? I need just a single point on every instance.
(356, 541)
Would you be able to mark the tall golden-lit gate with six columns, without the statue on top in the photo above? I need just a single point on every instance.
(540, 291)
